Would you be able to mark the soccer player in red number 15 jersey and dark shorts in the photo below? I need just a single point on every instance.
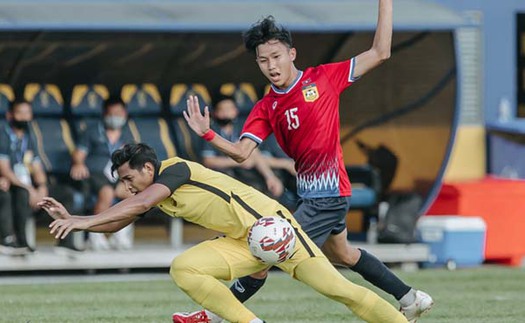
(302, 110)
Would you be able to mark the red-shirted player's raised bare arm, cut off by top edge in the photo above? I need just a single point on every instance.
(380, 50)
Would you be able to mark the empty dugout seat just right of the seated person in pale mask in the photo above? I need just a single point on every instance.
(145, 119)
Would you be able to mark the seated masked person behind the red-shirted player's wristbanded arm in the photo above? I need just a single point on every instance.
(255, 169)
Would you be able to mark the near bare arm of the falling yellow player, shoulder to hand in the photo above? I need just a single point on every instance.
(114, 218)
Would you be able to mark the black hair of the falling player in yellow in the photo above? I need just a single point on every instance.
(136, 154)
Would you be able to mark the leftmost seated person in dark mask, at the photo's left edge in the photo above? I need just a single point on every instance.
(22, 168)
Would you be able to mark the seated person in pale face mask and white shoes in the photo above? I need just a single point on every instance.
(91, 162)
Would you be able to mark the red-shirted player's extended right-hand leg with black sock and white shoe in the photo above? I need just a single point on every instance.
(413, 303)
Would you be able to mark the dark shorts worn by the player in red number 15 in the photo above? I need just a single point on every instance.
(321, 217)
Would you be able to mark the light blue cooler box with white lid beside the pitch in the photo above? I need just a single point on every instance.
(453, 240)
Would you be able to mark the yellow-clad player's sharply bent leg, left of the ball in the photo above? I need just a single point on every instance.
(197, 270)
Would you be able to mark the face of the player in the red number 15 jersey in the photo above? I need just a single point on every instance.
(275, 60)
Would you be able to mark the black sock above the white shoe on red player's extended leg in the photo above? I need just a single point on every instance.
(379, 275)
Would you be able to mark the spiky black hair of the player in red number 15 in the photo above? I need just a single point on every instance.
(263, 31)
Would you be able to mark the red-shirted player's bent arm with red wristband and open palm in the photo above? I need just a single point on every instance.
(200, 123)
